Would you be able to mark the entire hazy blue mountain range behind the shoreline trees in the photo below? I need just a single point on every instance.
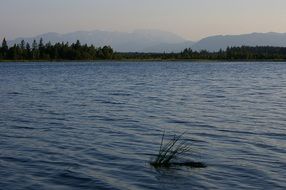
(159, 41)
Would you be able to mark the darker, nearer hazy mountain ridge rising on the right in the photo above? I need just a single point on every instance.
(215, 43)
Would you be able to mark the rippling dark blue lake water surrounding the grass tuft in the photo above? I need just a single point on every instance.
(97, 125)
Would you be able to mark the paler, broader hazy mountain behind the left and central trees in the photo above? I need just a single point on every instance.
(137, 41)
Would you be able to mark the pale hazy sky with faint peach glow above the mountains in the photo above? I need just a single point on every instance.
(191, 19)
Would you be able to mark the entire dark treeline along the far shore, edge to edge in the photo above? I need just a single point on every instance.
(77, 51)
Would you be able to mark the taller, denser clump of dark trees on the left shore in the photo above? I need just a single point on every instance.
(59, 51)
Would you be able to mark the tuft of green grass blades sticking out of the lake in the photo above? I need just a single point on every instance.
(171, 151)
